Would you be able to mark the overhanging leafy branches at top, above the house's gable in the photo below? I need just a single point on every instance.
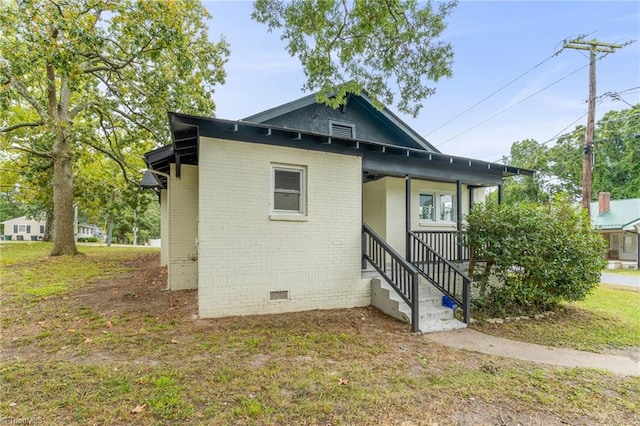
(382, 47)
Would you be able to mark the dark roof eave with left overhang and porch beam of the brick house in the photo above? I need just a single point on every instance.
(379, 159)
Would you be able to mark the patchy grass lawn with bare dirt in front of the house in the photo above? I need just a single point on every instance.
(95, 340)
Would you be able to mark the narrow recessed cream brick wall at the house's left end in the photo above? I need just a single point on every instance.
(183, 230)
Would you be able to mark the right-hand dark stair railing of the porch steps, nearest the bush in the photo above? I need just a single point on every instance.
(441, 273)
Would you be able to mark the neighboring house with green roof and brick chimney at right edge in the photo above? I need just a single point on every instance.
(619, 222)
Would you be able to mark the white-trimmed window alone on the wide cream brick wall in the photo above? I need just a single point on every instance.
(288, 189)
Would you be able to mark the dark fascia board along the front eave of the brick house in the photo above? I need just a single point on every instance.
(273, 135)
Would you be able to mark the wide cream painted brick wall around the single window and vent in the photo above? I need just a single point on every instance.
(243, 254)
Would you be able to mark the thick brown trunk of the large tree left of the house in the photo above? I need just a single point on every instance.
(63, 240)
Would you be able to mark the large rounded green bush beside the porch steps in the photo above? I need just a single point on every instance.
(540, 254)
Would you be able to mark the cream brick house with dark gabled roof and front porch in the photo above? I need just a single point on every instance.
(276, 213)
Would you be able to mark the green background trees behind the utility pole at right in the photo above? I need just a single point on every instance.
(559, 167)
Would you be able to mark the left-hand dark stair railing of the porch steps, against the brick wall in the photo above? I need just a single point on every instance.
(398, 272)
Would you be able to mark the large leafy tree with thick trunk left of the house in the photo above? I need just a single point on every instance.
(100, 73)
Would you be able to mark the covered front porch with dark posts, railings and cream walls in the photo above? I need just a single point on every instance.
(413, 220)
